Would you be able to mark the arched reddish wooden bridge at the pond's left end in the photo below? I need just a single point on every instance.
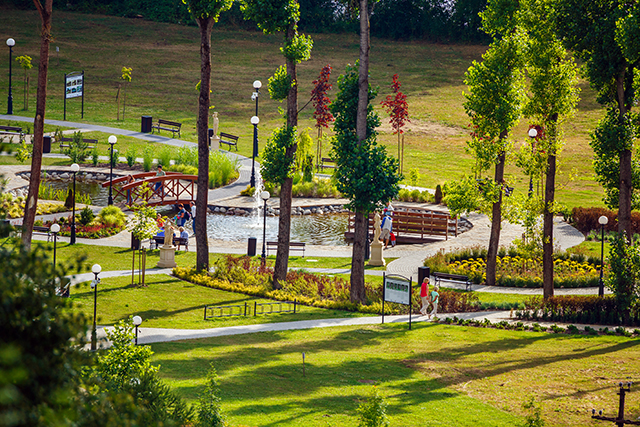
(135, 189)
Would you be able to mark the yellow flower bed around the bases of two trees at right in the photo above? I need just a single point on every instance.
(517, 271)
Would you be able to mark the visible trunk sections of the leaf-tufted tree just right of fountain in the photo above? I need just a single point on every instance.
(284, 221)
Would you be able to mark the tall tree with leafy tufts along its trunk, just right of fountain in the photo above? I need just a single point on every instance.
(274, 16)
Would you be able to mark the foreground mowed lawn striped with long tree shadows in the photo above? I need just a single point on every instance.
(433, 375)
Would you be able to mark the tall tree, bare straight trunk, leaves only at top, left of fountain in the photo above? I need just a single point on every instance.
(206, 13)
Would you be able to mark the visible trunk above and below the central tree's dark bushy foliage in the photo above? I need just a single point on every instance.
(360, 229)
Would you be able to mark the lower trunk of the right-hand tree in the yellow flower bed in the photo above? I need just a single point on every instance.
(547, 228)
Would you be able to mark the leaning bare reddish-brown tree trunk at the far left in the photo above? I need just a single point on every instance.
(38, 123)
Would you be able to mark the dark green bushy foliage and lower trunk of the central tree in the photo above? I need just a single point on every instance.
(364, 173)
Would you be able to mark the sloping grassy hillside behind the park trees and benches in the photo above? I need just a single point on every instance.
(165, 62)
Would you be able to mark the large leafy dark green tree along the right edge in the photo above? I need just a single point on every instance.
(605, 34)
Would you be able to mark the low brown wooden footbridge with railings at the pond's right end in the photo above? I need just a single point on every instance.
(415, 225)
